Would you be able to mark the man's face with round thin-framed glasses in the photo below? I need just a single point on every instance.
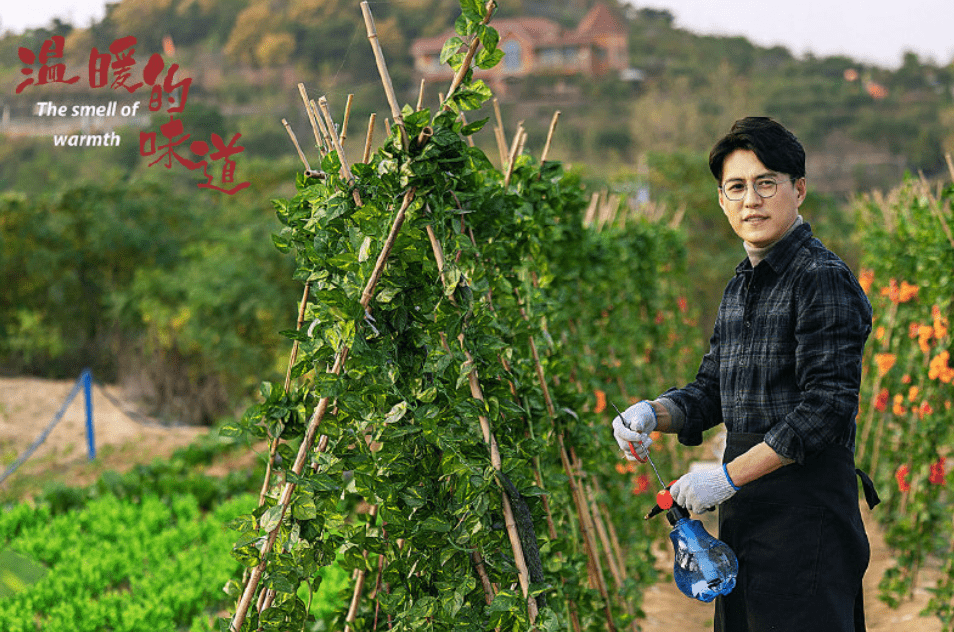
(757, 220)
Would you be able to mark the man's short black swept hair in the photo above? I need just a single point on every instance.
(775, 146)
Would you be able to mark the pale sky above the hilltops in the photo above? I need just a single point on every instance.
(872, 31)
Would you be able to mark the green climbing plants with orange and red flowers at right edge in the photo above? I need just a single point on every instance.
(906, 421)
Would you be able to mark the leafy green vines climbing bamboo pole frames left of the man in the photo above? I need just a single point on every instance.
(432, 437)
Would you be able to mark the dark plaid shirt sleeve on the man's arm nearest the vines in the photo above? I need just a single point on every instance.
(700, 401)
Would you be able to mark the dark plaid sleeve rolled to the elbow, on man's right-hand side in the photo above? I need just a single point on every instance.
(833, 321)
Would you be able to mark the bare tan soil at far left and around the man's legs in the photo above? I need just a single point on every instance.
(28, 405)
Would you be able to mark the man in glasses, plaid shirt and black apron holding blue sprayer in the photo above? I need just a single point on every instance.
(782, 373)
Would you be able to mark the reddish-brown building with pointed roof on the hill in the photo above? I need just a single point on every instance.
(598, 46)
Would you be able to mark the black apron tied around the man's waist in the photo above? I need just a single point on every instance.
(801, 545)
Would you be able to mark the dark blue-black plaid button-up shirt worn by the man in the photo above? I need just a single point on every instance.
(785, 353)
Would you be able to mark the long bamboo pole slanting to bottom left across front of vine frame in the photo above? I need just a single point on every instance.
(317, 417)
